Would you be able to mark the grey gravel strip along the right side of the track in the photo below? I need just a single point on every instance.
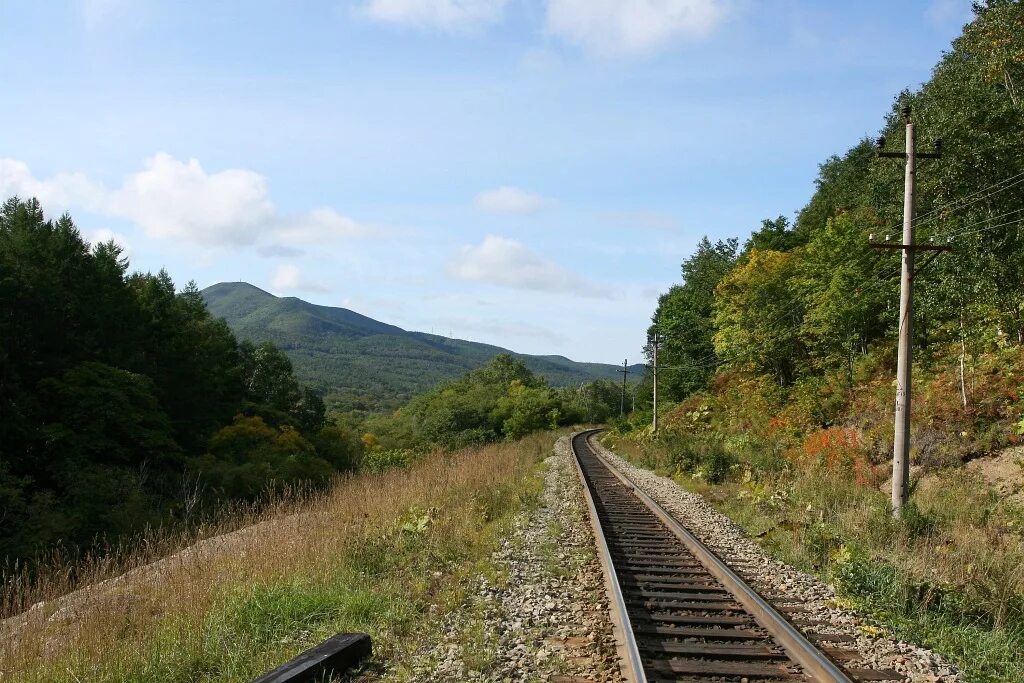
(772, 577)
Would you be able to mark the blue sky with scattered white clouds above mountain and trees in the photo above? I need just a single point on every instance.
(528, 174)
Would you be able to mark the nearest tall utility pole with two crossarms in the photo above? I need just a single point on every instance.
(902, 446)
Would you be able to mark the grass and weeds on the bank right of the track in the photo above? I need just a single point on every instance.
(950, 576)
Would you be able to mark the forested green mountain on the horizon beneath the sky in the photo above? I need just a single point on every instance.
(360, 363)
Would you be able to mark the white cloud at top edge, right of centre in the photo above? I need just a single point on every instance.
(631, 27)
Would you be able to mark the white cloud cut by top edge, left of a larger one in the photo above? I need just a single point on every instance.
(444, 15)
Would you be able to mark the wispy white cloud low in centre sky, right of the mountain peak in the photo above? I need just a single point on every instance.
(509, 264)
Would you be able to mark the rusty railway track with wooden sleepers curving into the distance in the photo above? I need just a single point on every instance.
(684, 614)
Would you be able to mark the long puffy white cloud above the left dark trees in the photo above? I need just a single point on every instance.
(177, 200)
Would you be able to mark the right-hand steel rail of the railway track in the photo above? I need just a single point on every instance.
(789, 637)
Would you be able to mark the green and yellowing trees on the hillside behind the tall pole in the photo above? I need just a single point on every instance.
(807, 306)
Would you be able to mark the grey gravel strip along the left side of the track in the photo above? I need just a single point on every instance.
(547, 620)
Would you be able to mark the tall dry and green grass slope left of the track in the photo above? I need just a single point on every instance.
(389, 554)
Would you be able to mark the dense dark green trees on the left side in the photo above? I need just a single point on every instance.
(124, 404)
